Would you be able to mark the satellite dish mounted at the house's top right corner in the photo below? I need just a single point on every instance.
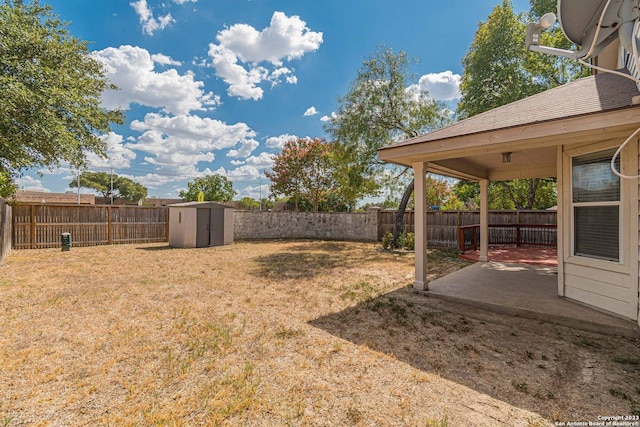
(590, 24)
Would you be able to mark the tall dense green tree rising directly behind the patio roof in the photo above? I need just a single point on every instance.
(499, 70)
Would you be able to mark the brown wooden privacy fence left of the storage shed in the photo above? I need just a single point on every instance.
(41, 225)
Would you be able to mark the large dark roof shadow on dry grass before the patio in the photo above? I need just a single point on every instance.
(518, 361)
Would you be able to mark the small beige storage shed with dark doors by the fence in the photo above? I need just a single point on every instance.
(200, 224)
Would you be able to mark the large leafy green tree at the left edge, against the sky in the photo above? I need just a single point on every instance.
(51, 90)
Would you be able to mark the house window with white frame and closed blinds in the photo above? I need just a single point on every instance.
(596, 206)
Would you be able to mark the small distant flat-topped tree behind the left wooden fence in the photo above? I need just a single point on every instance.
(111, 186)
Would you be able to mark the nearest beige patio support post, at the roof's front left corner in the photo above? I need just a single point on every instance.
(420, 196)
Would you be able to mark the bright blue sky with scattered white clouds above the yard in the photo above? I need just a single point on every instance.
(218, 86)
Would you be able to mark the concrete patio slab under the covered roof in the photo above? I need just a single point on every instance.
(528, 291)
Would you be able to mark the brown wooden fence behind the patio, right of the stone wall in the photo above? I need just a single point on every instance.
(458, 228)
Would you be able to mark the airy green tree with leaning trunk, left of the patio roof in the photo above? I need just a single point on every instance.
(383, 105)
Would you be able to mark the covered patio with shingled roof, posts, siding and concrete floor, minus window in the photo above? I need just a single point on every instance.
(538, 137)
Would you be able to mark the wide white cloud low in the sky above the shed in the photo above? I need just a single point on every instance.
(175, 145)
